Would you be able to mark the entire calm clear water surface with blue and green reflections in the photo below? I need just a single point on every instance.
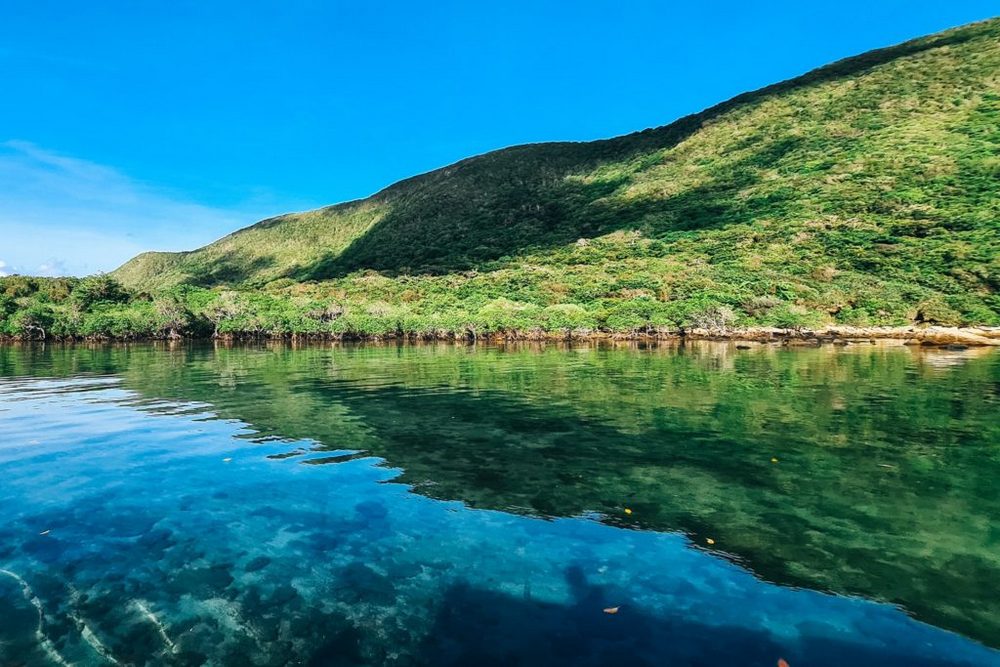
(447, 506)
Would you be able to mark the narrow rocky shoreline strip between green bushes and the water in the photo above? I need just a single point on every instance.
(930, 336)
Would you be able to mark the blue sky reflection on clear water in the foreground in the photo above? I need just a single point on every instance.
(160, 549)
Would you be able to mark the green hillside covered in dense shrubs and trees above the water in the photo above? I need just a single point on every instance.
(864, 192)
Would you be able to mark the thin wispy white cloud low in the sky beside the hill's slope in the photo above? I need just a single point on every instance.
(62, 215)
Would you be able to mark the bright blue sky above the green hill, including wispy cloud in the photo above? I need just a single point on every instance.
(129, 126)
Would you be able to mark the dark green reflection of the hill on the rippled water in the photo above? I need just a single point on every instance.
(886, 457)
